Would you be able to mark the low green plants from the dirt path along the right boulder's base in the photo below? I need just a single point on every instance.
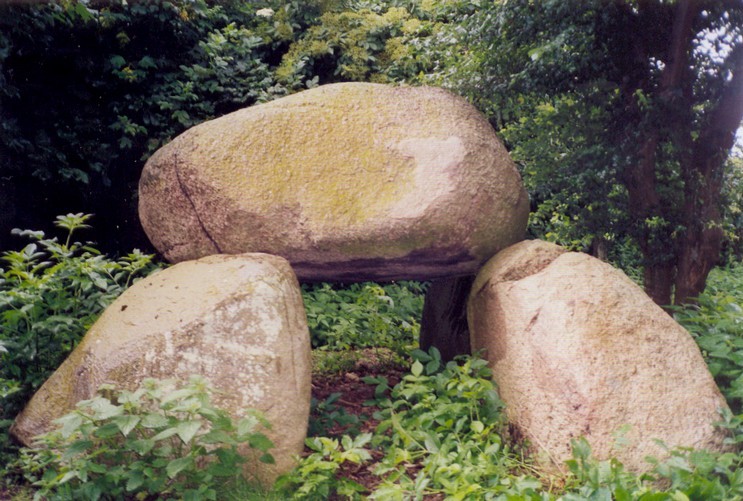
(442, 433)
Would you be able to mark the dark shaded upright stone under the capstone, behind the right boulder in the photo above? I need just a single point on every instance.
(444, 320)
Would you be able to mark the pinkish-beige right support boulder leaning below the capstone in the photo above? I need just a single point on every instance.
(577, 349)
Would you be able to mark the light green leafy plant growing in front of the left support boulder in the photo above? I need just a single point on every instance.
(162, 440)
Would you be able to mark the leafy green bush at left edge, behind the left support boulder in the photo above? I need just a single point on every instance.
(50, 294)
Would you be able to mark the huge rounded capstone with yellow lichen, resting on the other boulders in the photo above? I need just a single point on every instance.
(348, 181)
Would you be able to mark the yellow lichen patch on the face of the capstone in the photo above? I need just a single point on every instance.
(342, 161)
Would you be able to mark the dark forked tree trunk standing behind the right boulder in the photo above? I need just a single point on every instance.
(685, 265)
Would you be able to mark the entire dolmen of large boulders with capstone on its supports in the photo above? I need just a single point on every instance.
(358, 181)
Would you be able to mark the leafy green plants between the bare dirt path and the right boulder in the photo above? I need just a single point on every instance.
(442, 430)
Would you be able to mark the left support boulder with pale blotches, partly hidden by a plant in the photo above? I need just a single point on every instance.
(237, 320)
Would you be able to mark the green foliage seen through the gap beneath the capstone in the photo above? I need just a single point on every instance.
(364, 315)
